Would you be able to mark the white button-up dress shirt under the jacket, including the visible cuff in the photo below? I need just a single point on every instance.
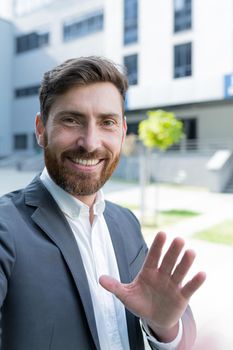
(98, 258)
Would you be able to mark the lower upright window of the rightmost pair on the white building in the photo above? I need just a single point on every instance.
(182, 60)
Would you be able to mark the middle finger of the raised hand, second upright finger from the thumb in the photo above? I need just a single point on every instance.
(171, 256)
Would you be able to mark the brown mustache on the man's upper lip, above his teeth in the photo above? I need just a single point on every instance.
(82, 153)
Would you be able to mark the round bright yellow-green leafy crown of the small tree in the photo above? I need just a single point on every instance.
(160, 130)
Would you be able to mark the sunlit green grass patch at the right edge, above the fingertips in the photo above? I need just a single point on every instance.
(220, 233)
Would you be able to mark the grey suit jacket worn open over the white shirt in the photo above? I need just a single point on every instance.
(44, 295)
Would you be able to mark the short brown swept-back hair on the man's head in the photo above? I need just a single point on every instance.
(78, 72)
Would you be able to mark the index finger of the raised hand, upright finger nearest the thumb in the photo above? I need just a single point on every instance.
(154, 254)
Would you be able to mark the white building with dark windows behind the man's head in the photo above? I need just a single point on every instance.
(179, 56)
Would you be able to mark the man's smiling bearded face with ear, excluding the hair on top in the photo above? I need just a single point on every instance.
(82, 138)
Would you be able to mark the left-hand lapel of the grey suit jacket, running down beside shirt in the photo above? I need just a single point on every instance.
(51, 220)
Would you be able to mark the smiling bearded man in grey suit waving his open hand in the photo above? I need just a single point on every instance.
(61, 242)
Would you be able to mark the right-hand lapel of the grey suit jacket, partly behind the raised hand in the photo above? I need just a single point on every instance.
(119, 245)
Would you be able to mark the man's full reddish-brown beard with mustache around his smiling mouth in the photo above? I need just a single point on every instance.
(75, 182)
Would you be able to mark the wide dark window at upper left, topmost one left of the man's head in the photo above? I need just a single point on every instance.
(31, 41)
